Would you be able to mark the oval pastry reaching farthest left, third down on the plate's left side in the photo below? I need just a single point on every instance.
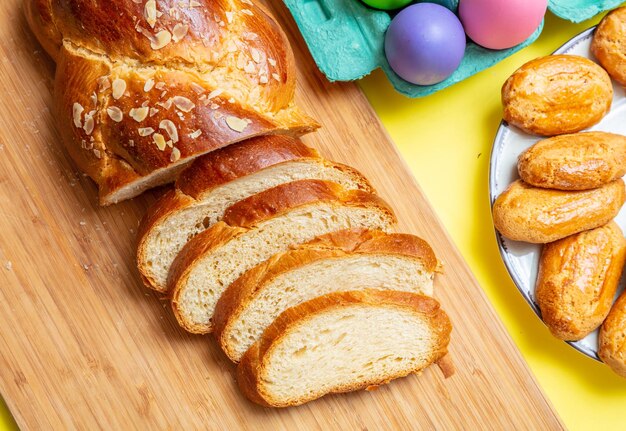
(532, 214)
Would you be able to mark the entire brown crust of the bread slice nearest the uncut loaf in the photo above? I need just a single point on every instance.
(218, 168)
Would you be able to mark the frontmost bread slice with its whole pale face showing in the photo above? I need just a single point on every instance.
(343, 342)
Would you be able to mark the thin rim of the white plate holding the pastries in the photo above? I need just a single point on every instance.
(503, 128)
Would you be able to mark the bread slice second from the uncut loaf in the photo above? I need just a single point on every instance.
(255, 229)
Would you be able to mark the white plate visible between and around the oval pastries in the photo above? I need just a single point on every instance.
(522, 259)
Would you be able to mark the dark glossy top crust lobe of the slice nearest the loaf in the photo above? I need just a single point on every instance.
(238, 160)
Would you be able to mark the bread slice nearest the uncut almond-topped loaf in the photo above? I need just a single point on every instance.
(216, 181)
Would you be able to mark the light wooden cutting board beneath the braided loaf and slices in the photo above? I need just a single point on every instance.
(84, 345)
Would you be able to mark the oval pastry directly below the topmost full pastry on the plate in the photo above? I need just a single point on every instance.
(574, 162)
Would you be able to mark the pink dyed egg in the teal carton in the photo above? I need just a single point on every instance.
(501, 24)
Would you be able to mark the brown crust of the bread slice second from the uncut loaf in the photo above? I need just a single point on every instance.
(245, 214)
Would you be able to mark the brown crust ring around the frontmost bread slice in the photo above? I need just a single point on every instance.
(252, 365)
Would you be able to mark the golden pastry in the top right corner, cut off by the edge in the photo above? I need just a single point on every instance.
(609, 44)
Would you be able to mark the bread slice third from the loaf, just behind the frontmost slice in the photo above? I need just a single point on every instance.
(349, 260)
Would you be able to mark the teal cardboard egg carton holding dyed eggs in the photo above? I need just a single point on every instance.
(346, 39)
